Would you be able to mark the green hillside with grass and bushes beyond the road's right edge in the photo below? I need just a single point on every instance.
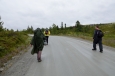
(86, 32)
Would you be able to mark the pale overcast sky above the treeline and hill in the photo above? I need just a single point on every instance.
(18, 14)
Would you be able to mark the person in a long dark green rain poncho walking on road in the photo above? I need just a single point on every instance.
(38, 43)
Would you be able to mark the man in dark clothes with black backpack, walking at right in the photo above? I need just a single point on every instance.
(97, 38)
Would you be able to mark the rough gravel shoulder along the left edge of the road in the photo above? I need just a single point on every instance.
(20, 64)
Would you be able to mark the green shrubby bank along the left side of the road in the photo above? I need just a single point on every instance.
(11, 43)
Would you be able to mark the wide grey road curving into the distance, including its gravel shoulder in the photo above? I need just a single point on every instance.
(66, 56)
